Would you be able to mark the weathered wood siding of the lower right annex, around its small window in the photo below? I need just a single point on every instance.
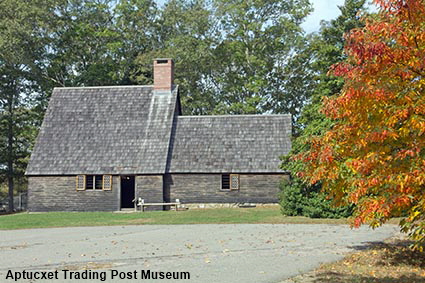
(206, 188)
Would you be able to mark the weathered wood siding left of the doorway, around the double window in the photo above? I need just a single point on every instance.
(58, 193)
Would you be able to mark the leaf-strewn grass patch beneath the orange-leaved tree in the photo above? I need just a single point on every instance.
(391, 261)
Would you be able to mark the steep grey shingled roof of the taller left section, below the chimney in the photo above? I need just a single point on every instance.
(105, 130)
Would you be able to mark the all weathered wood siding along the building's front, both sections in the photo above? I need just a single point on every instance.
(58, 193)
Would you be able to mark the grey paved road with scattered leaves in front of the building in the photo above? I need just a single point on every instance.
(210, 253)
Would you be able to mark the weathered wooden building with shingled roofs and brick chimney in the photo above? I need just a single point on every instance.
(101, 147)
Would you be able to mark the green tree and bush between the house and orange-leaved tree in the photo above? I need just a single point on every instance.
(327, 48)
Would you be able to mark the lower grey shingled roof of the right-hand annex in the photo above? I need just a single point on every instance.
(229, 143)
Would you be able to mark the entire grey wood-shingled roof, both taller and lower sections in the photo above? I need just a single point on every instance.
(137, 130)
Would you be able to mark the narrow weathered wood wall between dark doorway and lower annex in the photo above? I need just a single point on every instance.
(150, 188)
